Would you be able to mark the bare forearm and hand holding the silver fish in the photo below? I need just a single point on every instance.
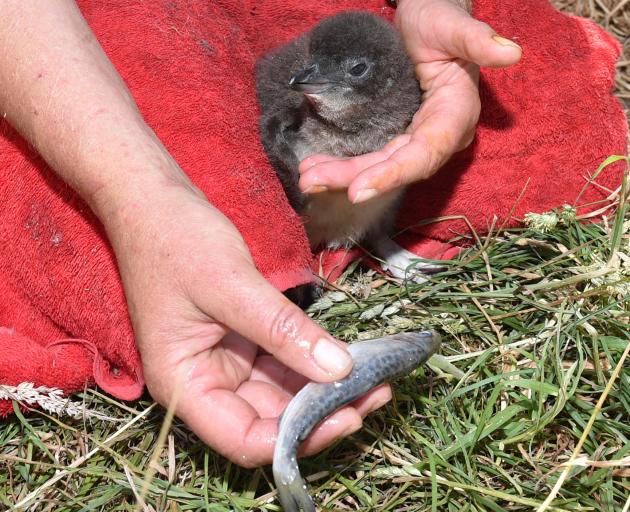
(199, 308)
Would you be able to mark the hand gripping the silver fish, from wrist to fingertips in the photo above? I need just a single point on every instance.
(214, 335)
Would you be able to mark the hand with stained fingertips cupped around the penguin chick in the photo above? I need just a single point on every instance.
(446, 46)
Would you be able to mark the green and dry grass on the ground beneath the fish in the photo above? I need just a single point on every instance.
(537, 322)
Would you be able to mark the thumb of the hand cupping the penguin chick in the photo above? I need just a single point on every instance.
(464, 37)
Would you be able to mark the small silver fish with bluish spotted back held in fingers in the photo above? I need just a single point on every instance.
(375, 361)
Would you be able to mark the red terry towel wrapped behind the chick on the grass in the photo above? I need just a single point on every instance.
(550, 120)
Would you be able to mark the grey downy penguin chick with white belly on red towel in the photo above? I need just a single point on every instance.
(343, 89)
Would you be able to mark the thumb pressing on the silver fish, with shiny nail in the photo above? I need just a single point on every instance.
(259, 312)
